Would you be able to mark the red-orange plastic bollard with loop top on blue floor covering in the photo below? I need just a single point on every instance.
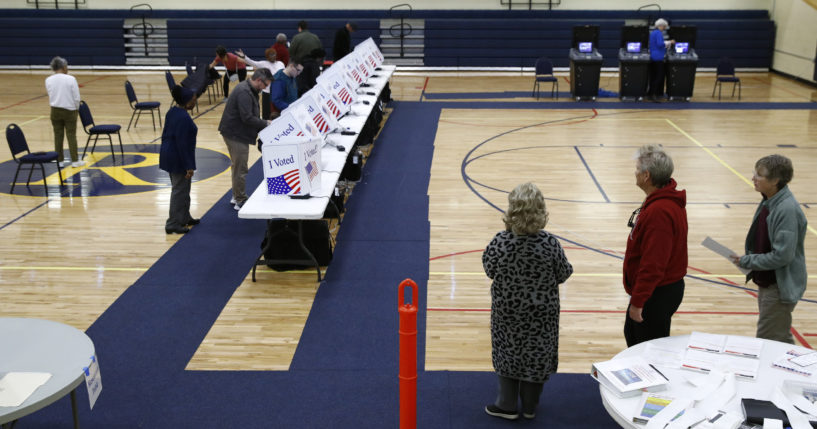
(408, 355)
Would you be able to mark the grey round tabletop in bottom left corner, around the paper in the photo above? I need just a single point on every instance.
(36, 345)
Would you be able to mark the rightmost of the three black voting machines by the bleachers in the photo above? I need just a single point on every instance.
(681, 66)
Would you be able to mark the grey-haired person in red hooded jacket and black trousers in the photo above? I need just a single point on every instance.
(656, 259)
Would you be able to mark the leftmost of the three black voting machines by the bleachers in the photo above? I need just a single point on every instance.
(585, 67)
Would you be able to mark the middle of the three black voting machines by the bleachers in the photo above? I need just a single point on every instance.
(633, 67)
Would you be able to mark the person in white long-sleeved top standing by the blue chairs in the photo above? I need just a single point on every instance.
(63, 96)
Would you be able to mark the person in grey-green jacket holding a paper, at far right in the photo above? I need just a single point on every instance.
(774, 249)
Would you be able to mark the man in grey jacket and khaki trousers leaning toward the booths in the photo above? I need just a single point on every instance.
(239, 126)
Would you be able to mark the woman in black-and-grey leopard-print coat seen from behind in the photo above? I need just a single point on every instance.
(527, 265)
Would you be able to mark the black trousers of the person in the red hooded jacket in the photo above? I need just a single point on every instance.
(657, 314)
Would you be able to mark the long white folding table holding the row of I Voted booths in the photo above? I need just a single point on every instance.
(262, 205)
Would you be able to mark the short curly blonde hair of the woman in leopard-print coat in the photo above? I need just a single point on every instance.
(526, 213)
